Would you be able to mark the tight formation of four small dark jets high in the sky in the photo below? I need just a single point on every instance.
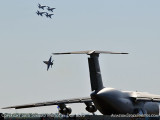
(45, 13)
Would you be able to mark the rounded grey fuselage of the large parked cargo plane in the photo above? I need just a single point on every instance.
(111, 101)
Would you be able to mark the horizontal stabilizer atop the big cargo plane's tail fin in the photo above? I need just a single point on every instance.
(89, 52)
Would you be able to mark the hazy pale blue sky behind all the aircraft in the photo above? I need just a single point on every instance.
(27, 40)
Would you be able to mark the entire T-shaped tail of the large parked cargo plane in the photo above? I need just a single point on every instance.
(94, 68)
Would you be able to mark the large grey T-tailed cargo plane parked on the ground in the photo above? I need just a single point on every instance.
(107, 100)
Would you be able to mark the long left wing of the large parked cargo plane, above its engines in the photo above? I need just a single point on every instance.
(49, 103)
